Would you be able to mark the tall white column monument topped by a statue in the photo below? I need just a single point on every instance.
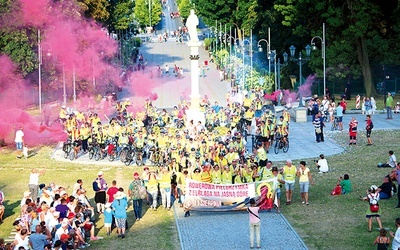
(194, 112)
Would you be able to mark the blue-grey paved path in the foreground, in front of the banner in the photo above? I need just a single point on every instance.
(230, 230)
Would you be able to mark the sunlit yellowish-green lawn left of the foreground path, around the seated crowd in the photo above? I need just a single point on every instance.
(156, 230)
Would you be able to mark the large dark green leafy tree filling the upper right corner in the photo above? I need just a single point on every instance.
(360, 33)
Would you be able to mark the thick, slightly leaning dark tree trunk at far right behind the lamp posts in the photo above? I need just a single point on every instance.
(363, 59)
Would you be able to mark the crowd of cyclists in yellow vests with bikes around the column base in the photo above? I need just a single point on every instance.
(158, 137)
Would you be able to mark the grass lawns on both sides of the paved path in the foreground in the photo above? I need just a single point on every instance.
(329, 222)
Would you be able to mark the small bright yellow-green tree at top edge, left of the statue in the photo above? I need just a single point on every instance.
(148, 12)
